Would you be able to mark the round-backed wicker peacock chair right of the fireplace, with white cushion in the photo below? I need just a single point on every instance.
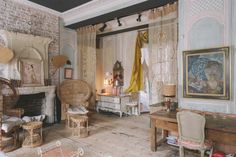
(74, 93)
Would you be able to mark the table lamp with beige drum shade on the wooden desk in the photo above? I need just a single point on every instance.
(169, 91)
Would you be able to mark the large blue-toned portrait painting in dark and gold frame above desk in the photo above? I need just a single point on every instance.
(207, 73)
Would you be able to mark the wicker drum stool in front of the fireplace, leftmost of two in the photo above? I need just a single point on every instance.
(35, 136)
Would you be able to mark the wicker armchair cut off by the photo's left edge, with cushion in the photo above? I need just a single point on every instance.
(10, 127)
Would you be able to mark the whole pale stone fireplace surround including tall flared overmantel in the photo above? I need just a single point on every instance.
(29, 46)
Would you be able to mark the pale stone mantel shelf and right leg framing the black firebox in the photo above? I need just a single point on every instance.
(48, 107)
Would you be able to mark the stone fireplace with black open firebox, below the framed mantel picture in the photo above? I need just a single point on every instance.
(47, 95)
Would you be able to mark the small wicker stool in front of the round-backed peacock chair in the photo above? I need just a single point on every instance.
(80, 126)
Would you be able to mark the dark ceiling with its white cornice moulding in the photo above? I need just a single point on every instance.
(78, 13)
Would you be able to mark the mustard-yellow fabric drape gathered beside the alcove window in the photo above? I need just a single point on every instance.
(136, 82)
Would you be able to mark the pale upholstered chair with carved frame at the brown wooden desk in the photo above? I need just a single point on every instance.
(191, 128)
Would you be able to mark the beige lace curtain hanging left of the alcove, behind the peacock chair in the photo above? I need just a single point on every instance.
(87, 56)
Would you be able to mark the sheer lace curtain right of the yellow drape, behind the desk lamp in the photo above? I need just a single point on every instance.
(163, 50)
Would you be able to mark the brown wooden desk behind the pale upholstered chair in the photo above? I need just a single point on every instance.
(220, 130)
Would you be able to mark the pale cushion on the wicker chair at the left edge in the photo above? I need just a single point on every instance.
(10, 122)
